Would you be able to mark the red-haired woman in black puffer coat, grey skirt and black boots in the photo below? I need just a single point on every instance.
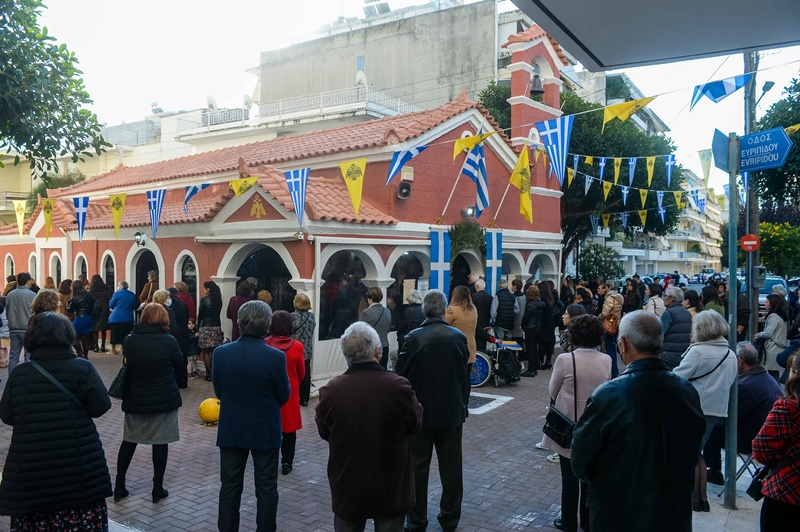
(151, 398)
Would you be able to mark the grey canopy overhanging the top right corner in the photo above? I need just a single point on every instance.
(618, 34)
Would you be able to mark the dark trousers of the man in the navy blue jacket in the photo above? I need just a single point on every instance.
(232, 463)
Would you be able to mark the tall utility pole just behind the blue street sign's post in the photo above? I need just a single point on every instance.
(752, 205)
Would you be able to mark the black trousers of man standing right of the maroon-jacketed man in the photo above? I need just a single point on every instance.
(447, 442)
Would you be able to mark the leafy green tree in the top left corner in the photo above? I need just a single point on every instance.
(42, 96)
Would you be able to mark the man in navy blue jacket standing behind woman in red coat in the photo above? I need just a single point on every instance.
(251, 383)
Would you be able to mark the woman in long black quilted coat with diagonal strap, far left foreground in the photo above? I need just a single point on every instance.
(55, 471)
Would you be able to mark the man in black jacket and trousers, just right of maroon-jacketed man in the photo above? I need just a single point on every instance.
(435, 361)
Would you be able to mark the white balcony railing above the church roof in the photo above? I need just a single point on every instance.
(356, 97)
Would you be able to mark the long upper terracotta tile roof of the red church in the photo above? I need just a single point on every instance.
(374, 133)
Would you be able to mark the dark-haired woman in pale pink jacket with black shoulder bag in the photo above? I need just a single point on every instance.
(593, 369)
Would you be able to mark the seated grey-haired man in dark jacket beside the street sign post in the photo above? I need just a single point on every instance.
(758, 391)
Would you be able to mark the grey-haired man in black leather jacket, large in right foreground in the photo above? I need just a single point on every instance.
(636, 443)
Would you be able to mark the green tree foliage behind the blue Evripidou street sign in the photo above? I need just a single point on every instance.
(782, 185)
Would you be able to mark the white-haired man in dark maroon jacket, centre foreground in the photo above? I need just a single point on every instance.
(367, 415)
